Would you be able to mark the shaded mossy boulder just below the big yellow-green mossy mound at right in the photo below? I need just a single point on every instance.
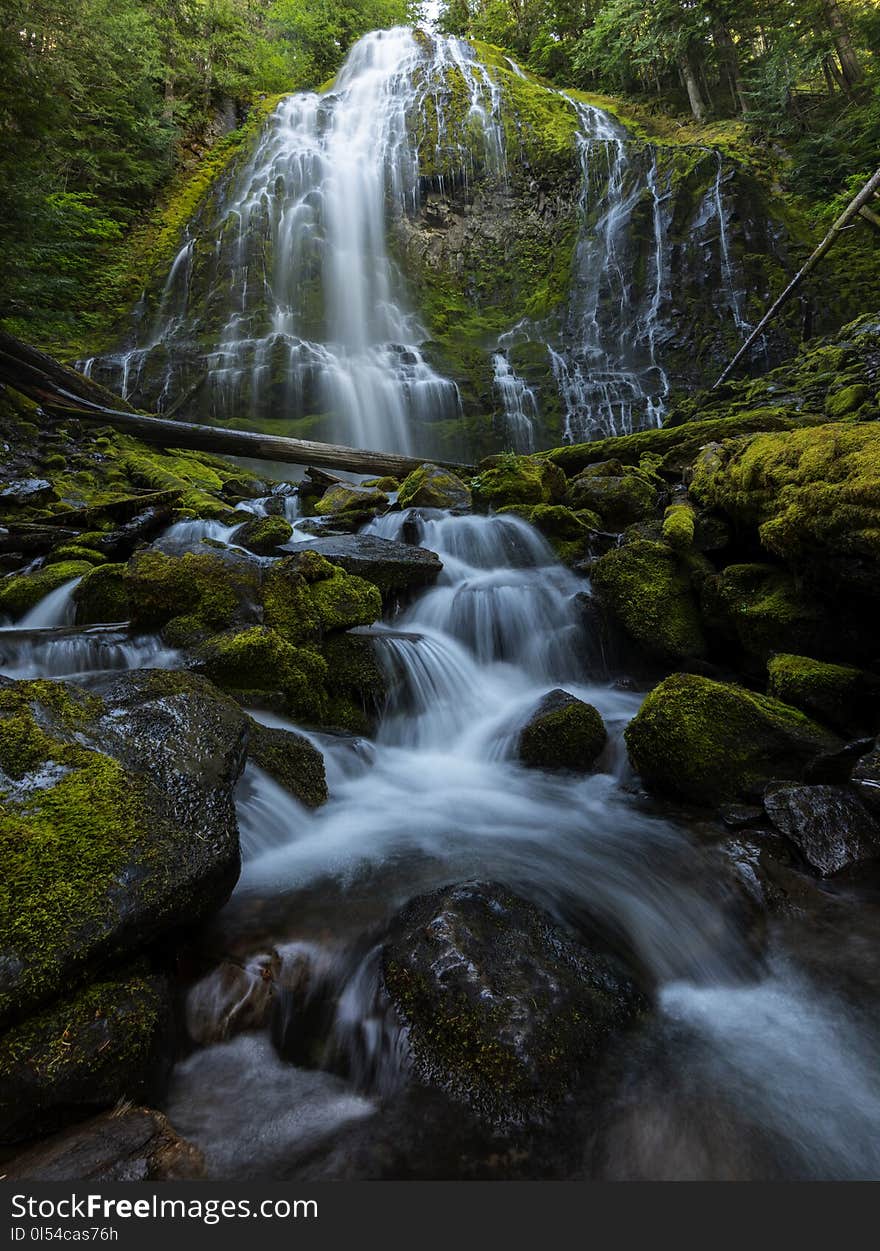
(762, 609)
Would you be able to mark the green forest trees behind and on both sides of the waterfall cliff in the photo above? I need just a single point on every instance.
(111, 111)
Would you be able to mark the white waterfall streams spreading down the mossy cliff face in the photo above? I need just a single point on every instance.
(287, 298)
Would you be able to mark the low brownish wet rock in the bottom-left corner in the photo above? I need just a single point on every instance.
(132, 1144)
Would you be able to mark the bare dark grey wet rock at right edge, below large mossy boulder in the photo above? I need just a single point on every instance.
(829, 825)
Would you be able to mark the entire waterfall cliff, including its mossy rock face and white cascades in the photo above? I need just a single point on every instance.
(443, 256)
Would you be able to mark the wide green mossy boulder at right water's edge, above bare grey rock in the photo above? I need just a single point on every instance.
(712, 742)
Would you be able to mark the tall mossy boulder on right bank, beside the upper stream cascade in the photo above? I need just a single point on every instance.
(650, 596)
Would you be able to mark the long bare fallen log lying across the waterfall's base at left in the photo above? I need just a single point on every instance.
(63, 392)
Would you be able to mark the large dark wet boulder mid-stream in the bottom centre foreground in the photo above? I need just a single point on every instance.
(505, 1013)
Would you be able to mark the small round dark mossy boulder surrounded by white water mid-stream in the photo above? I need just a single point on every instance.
(563, 734)
